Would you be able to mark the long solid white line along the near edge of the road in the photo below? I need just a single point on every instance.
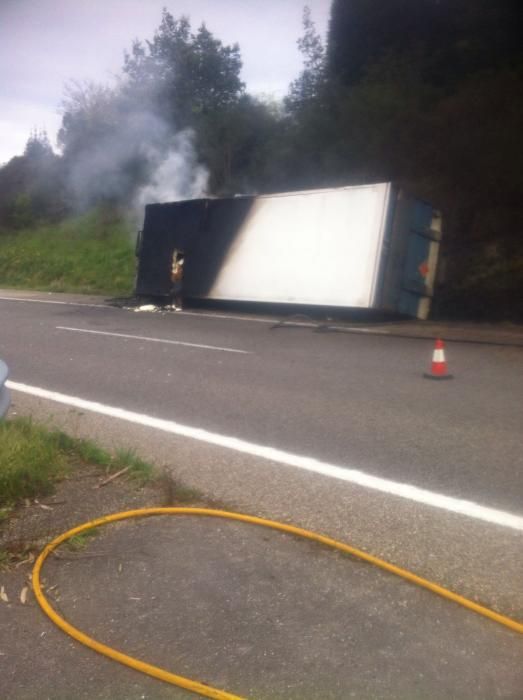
(354, 476)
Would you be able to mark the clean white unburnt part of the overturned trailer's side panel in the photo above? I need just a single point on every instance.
(319, 247)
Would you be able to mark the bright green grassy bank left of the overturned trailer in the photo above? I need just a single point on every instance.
(89, 254)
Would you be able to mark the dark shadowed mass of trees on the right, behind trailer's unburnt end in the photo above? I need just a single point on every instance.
(427, 93)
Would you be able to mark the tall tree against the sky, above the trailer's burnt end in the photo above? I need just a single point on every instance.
(193, 81)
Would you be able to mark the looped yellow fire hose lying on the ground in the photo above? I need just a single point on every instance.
(195, 686)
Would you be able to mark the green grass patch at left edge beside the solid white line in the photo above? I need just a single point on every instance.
(32, 458)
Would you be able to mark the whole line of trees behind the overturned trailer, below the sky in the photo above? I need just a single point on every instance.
(426, 93)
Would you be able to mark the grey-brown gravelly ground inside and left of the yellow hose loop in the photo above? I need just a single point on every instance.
(257, 613)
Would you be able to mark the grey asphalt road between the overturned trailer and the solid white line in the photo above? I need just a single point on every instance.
(356, 401)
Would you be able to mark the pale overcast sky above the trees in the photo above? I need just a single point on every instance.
(46, 43)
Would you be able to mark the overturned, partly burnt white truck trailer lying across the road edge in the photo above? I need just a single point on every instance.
(360, 247)
